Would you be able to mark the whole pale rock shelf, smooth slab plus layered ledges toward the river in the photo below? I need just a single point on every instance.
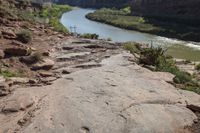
(102, 91)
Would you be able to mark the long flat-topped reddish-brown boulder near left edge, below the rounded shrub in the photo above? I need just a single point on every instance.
(17, 51)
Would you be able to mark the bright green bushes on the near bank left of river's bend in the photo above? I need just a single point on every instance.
(53, 14)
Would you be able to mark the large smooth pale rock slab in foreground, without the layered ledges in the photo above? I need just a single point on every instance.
(114, 98)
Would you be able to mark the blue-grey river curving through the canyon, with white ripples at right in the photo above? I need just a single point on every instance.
(83, 25)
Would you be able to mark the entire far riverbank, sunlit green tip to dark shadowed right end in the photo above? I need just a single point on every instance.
(122, 19)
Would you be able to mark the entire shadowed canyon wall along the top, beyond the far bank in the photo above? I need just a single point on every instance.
(184, 11)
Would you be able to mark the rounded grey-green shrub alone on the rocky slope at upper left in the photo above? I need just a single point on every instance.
(24, 36)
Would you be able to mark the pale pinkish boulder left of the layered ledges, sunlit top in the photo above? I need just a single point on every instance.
(45, 64)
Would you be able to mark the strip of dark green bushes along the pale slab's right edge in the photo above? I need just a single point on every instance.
(157, 57)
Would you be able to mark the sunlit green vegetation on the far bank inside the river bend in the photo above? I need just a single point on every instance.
(121, 18)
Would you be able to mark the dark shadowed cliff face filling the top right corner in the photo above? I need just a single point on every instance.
(171, 9)
